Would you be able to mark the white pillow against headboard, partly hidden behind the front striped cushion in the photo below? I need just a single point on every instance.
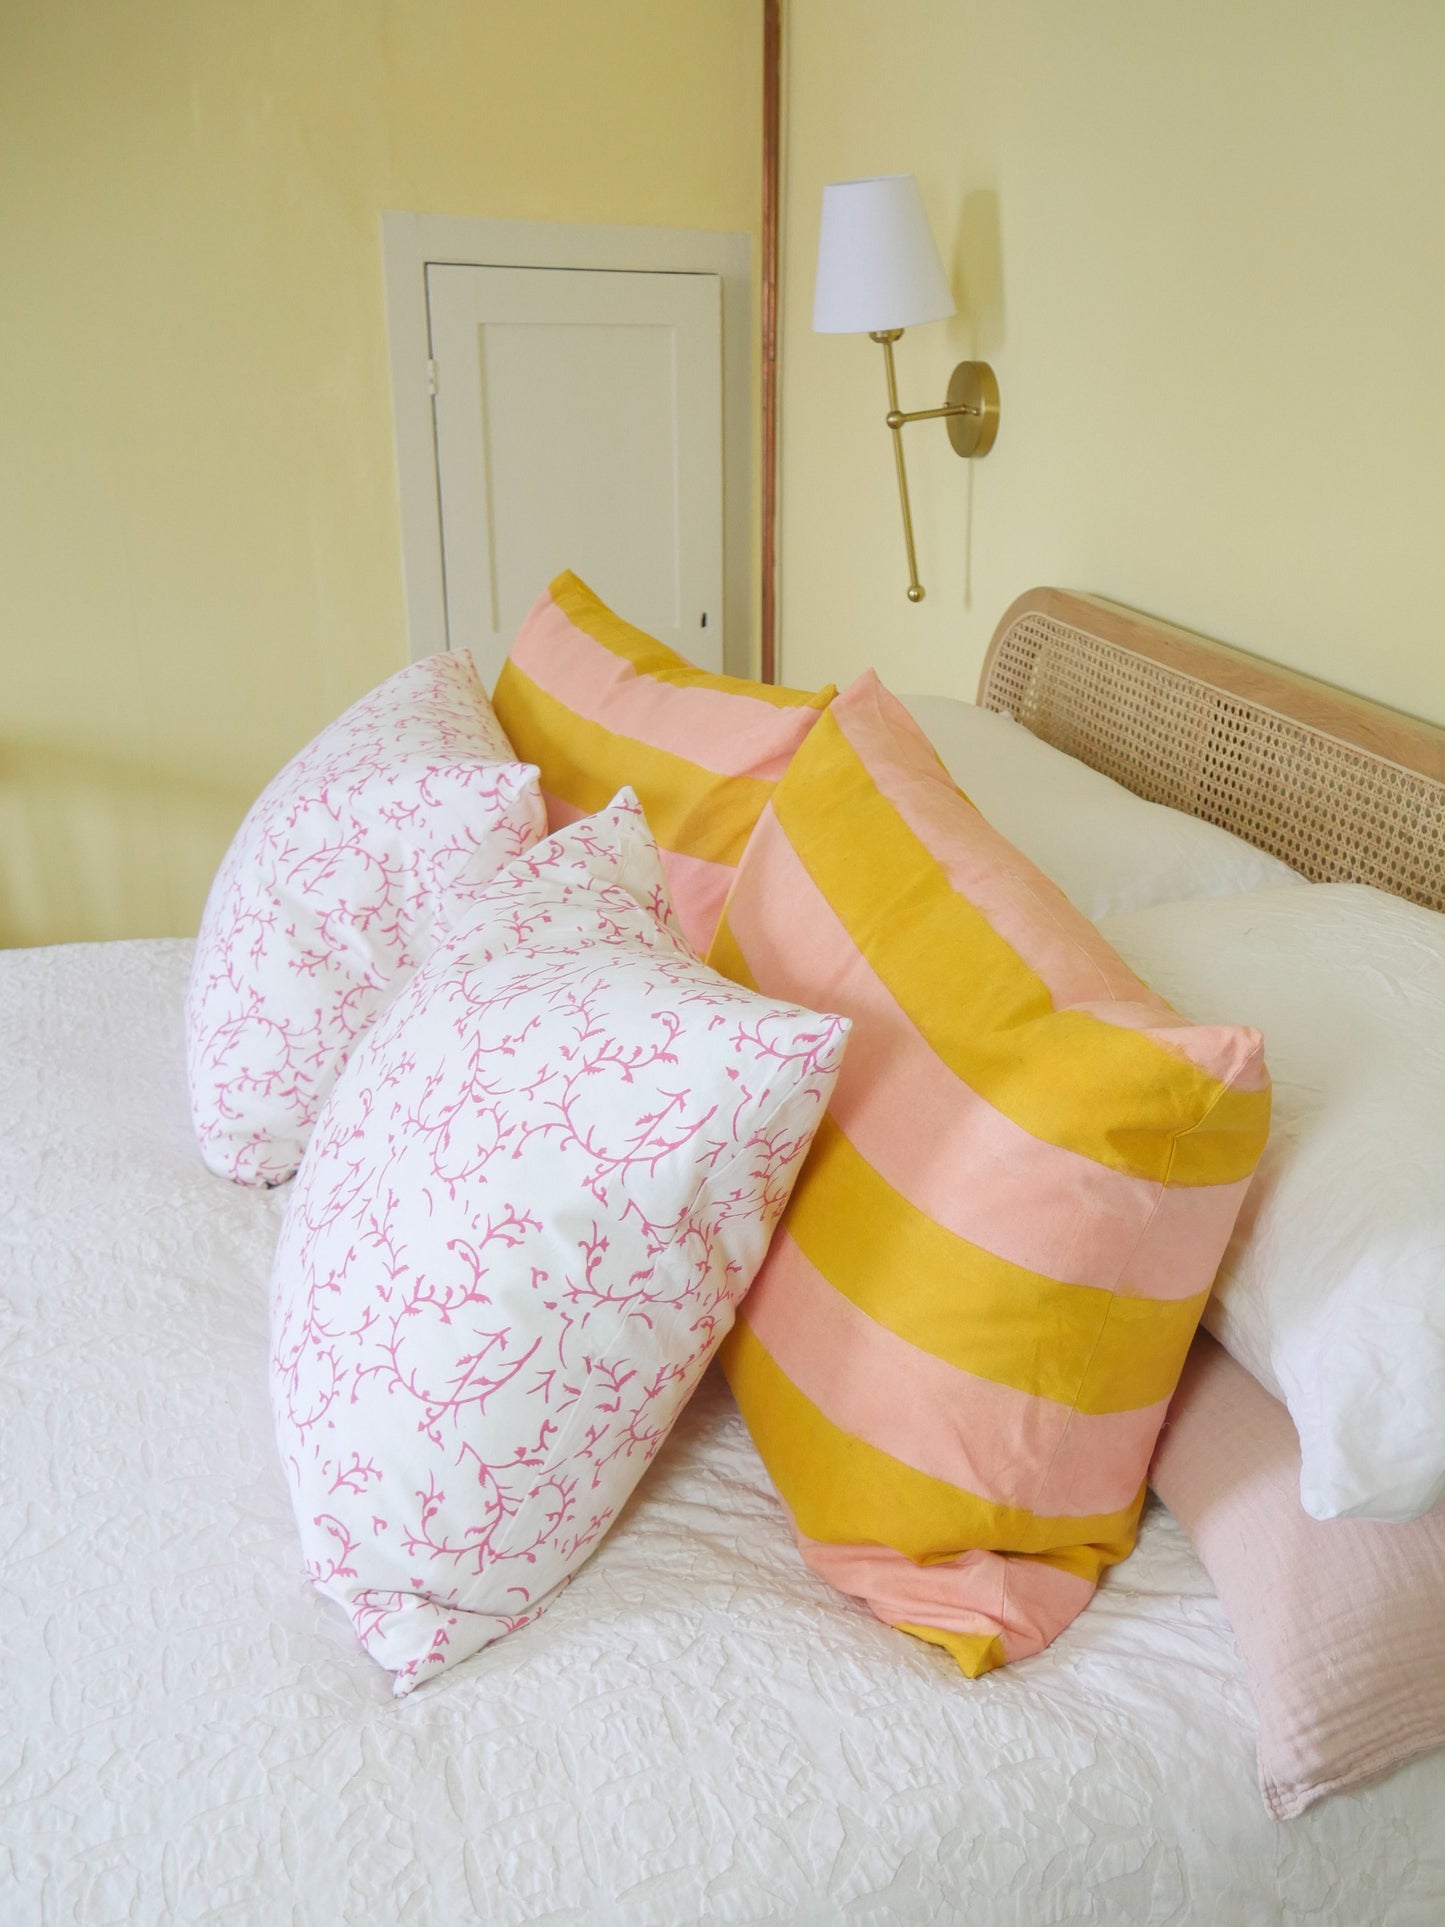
(1107, 849)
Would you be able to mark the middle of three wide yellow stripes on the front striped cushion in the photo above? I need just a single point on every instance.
(980, 1313)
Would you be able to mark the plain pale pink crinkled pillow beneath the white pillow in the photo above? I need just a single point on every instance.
(1342, 1623)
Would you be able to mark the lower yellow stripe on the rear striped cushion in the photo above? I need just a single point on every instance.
(691, 810)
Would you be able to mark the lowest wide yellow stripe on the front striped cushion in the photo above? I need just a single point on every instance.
(847, 1492)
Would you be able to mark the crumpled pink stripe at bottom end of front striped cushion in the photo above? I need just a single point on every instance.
(1020, 1600)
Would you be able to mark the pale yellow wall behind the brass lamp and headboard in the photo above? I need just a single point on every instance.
(1203, 244)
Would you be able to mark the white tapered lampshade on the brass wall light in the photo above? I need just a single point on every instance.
(878, 263)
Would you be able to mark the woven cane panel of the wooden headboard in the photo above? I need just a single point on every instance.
(1332, 810)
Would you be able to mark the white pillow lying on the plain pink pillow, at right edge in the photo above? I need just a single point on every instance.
(1332, 1292)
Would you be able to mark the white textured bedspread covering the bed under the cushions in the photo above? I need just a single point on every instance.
(696, 1731)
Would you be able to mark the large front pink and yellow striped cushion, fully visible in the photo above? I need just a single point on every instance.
(966, 1334)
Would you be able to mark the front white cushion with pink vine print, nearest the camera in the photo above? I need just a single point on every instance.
(523, 1227)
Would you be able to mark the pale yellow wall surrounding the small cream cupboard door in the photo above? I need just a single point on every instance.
(199, 548)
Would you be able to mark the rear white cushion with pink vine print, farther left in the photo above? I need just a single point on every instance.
(344, 876)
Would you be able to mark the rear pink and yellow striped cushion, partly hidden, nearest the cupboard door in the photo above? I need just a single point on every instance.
(600, 706)
